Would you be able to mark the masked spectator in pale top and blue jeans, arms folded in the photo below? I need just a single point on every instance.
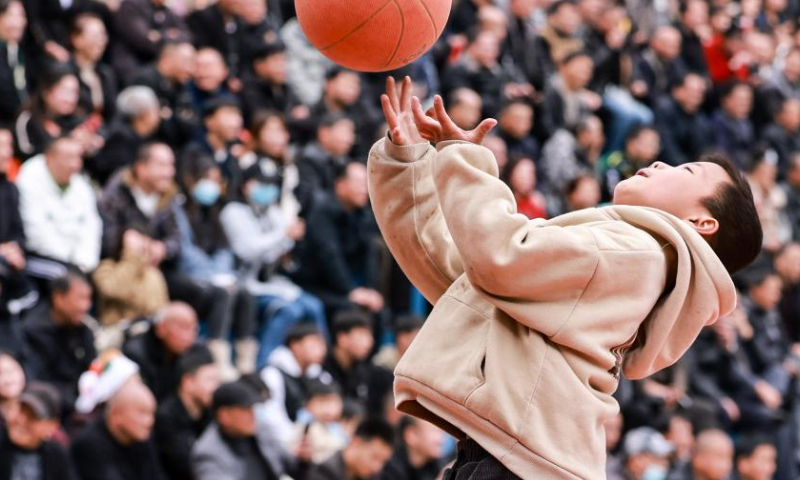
(261, 234)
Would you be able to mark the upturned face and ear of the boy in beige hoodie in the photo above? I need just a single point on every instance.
(675, 190)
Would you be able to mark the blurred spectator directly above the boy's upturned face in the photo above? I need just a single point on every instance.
(642, 147)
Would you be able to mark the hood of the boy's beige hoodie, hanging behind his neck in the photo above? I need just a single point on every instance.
(703, 292)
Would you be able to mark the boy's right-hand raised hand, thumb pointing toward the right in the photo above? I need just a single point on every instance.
(437, 126)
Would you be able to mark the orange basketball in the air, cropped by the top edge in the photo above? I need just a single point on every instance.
(373, 35)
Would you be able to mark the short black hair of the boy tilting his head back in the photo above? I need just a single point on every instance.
(739, 238)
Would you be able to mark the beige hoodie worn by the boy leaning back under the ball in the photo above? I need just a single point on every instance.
(532, 318)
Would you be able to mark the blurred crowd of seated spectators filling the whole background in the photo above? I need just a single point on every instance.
(192, 284)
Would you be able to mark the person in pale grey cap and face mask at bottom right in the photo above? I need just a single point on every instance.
(646, 454)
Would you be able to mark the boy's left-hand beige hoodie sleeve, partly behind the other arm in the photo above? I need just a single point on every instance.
(407, 209)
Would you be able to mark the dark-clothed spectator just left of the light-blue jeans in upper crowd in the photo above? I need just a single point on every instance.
(567, 101)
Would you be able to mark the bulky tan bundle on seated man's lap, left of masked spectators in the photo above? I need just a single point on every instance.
(130, 286)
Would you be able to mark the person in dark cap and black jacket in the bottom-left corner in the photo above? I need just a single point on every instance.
(27, 450)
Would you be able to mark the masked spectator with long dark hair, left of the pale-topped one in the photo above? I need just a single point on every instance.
(206, 254)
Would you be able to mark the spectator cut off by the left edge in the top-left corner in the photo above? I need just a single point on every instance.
(13, 74)
